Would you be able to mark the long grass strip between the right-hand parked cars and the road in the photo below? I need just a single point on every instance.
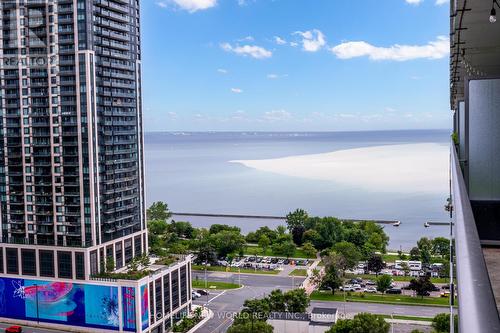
(378, 298)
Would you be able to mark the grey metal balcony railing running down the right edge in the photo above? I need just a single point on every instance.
(477, 307)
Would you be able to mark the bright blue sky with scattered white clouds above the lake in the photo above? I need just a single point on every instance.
(276, 65)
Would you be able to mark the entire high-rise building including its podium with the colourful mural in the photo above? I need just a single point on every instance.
(72, 174)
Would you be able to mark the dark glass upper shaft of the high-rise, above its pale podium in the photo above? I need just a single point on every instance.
(71, 165)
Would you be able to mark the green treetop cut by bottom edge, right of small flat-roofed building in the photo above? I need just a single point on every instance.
(361, 323)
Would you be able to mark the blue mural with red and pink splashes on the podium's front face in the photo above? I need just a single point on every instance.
(63, 302)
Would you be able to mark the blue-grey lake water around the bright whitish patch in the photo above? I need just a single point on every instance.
(191, 172)
